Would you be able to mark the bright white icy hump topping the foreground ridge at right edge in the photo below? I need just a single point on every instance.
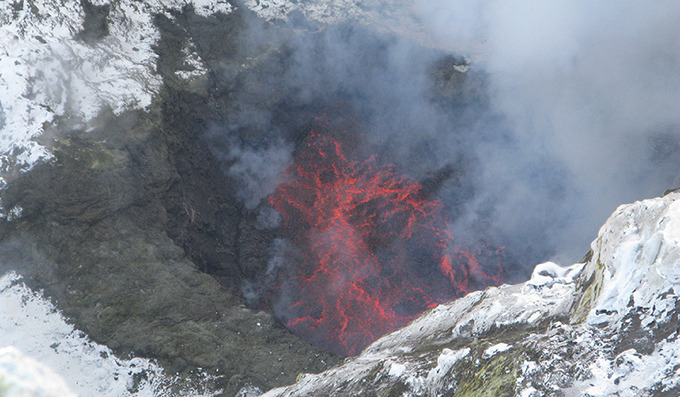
(639, 250)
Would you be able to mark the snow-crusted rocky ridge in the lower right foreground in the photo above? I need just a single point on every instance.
(608, 326)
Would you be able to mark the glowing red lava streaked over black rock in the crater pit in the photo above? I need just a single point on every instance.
(374, 251)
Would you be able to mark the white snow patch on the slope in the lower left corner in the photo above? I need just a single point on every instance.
(31, 324)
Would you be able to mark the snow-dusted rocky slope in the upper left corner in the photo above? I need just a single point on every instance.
(61, 59)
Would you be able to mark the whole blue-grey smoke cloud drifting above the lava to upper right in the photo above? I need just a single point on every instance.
(531, 121)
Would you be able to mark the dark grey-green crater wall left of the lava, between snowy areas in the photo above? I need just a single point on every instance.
(137, 234)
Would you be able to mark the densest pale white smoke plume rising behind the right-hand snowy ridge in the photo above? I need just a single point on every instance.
(591, 87)
